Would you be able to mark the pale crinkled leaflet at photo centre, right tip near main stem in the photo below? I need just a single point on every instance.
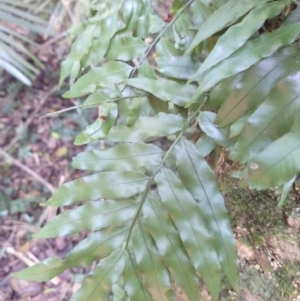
(161, 125)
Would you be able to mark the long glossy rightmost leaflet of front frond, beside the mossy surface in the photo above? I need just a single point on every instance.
(200, 181)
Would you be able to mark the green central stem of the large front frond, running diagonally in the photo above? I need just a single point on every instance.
(150, 181)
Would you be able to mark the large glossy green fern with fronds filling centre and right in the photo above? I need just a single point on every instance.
(226, 75)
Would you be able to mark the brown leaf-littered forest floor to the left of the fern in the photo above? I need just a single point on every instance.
(35, 159)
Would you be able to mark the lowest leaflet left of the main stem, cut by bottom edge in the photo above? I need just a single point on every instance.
(97, 285)
